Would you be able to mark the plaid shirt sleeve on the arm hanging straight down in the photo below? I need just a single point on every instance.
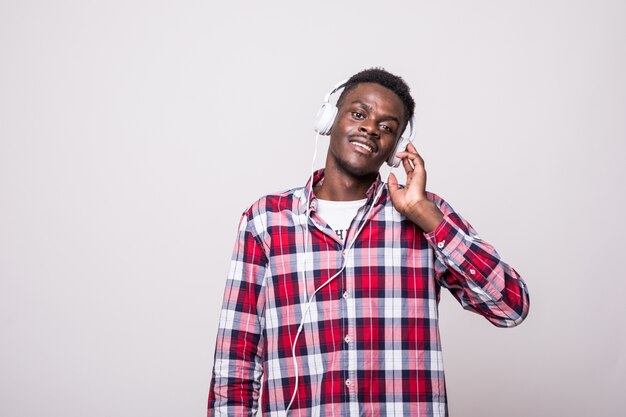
(237, 369)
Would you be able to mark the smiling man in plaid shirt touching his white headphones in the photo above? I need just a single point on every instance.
(333, 290)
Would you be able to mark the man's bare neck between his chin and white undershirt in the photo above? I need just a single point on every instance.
(338, 186)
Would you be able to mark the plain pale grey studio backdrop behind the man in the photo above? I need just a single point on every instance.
(133, 135)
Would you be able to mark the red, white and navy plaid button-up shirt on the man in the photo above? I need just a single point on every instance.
(370, 343)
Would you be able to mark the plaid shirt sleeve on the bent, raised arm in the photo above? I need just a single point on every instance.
(474, 272)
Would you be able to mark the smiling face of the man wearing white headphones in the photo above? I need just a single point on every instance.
(369, 121)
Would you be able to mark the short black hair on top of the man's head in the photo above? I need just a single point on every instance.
(387, 80)
